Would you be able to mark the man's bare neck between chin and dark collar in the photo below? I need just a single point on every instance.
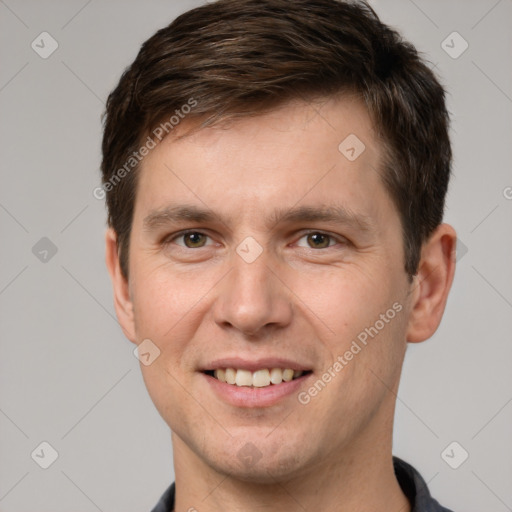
(356, 480)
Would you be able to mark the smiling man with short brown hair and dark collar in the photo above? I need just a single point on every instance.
(275, 175)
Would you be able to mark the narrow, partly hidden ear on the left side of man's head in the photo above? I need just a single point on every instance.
(122, 300)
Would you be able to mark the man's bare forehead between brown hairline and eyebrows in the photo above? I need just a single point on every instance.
(299, 153)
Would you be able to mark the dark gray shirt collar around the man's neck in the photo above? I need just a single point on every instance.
(411, 482)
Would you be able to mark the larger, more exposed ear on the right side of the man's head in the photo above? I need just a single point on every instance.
(432, 283)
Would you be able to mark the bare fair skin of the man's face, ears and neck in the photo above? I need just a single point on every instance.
(304, 299)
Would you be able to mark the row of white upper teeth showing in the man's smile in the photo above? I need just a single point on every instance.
(259, 379)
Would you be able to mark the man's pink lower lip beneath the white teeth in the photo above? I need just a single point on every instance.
(246, 396)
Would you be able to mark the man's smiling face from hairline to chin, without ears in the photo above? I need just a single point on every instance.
(257, 288)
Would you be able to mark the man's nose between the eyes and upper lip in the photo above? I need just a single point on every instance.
(253, 299)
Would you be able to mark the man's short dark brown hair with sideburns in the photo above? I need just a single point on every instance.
(244, 57)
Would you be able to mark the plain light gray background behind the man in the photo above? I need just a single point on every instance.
(67, 374)
